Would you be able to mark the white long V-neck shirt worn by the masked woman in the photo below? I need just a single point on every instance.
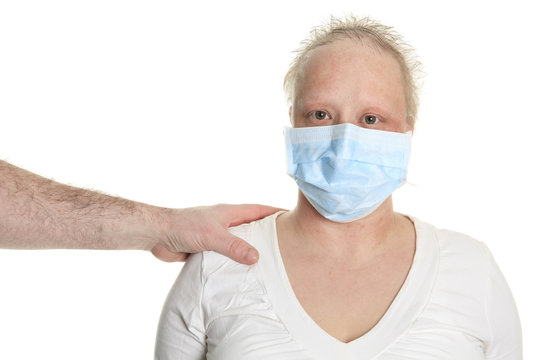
(454, 304)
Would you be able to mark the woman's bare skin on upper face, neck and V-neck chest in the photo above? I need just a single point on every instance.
(346, 276)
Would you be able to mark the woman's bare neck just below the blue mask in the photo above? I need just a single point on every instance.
(359, 240)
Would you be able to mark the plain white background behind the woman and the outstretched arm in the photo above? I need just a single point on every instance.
(180, 104)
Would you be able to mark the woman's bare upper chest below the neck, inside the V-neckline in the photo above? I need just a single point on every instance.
(347, 304)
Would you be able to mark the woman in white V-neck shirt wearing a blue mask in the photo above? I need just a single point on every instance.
(343, 276)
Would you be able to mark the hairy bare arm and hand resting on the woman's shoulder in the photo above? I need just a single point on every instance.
(38, 213)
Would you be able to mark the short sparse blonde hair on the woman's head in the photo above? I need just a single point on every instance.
(381, 36)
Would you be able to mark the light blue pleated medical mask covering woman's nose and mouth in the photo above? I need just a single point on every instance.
(346, 171)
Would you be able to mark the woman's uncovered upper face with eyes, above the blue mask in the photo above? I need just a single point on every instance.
(350, 82)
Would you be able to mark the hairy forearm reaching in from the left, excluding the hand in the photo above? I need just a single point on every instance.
(38, 213)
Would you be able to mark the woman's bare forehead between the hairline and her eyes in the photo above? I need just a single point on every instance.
(350, 66)
